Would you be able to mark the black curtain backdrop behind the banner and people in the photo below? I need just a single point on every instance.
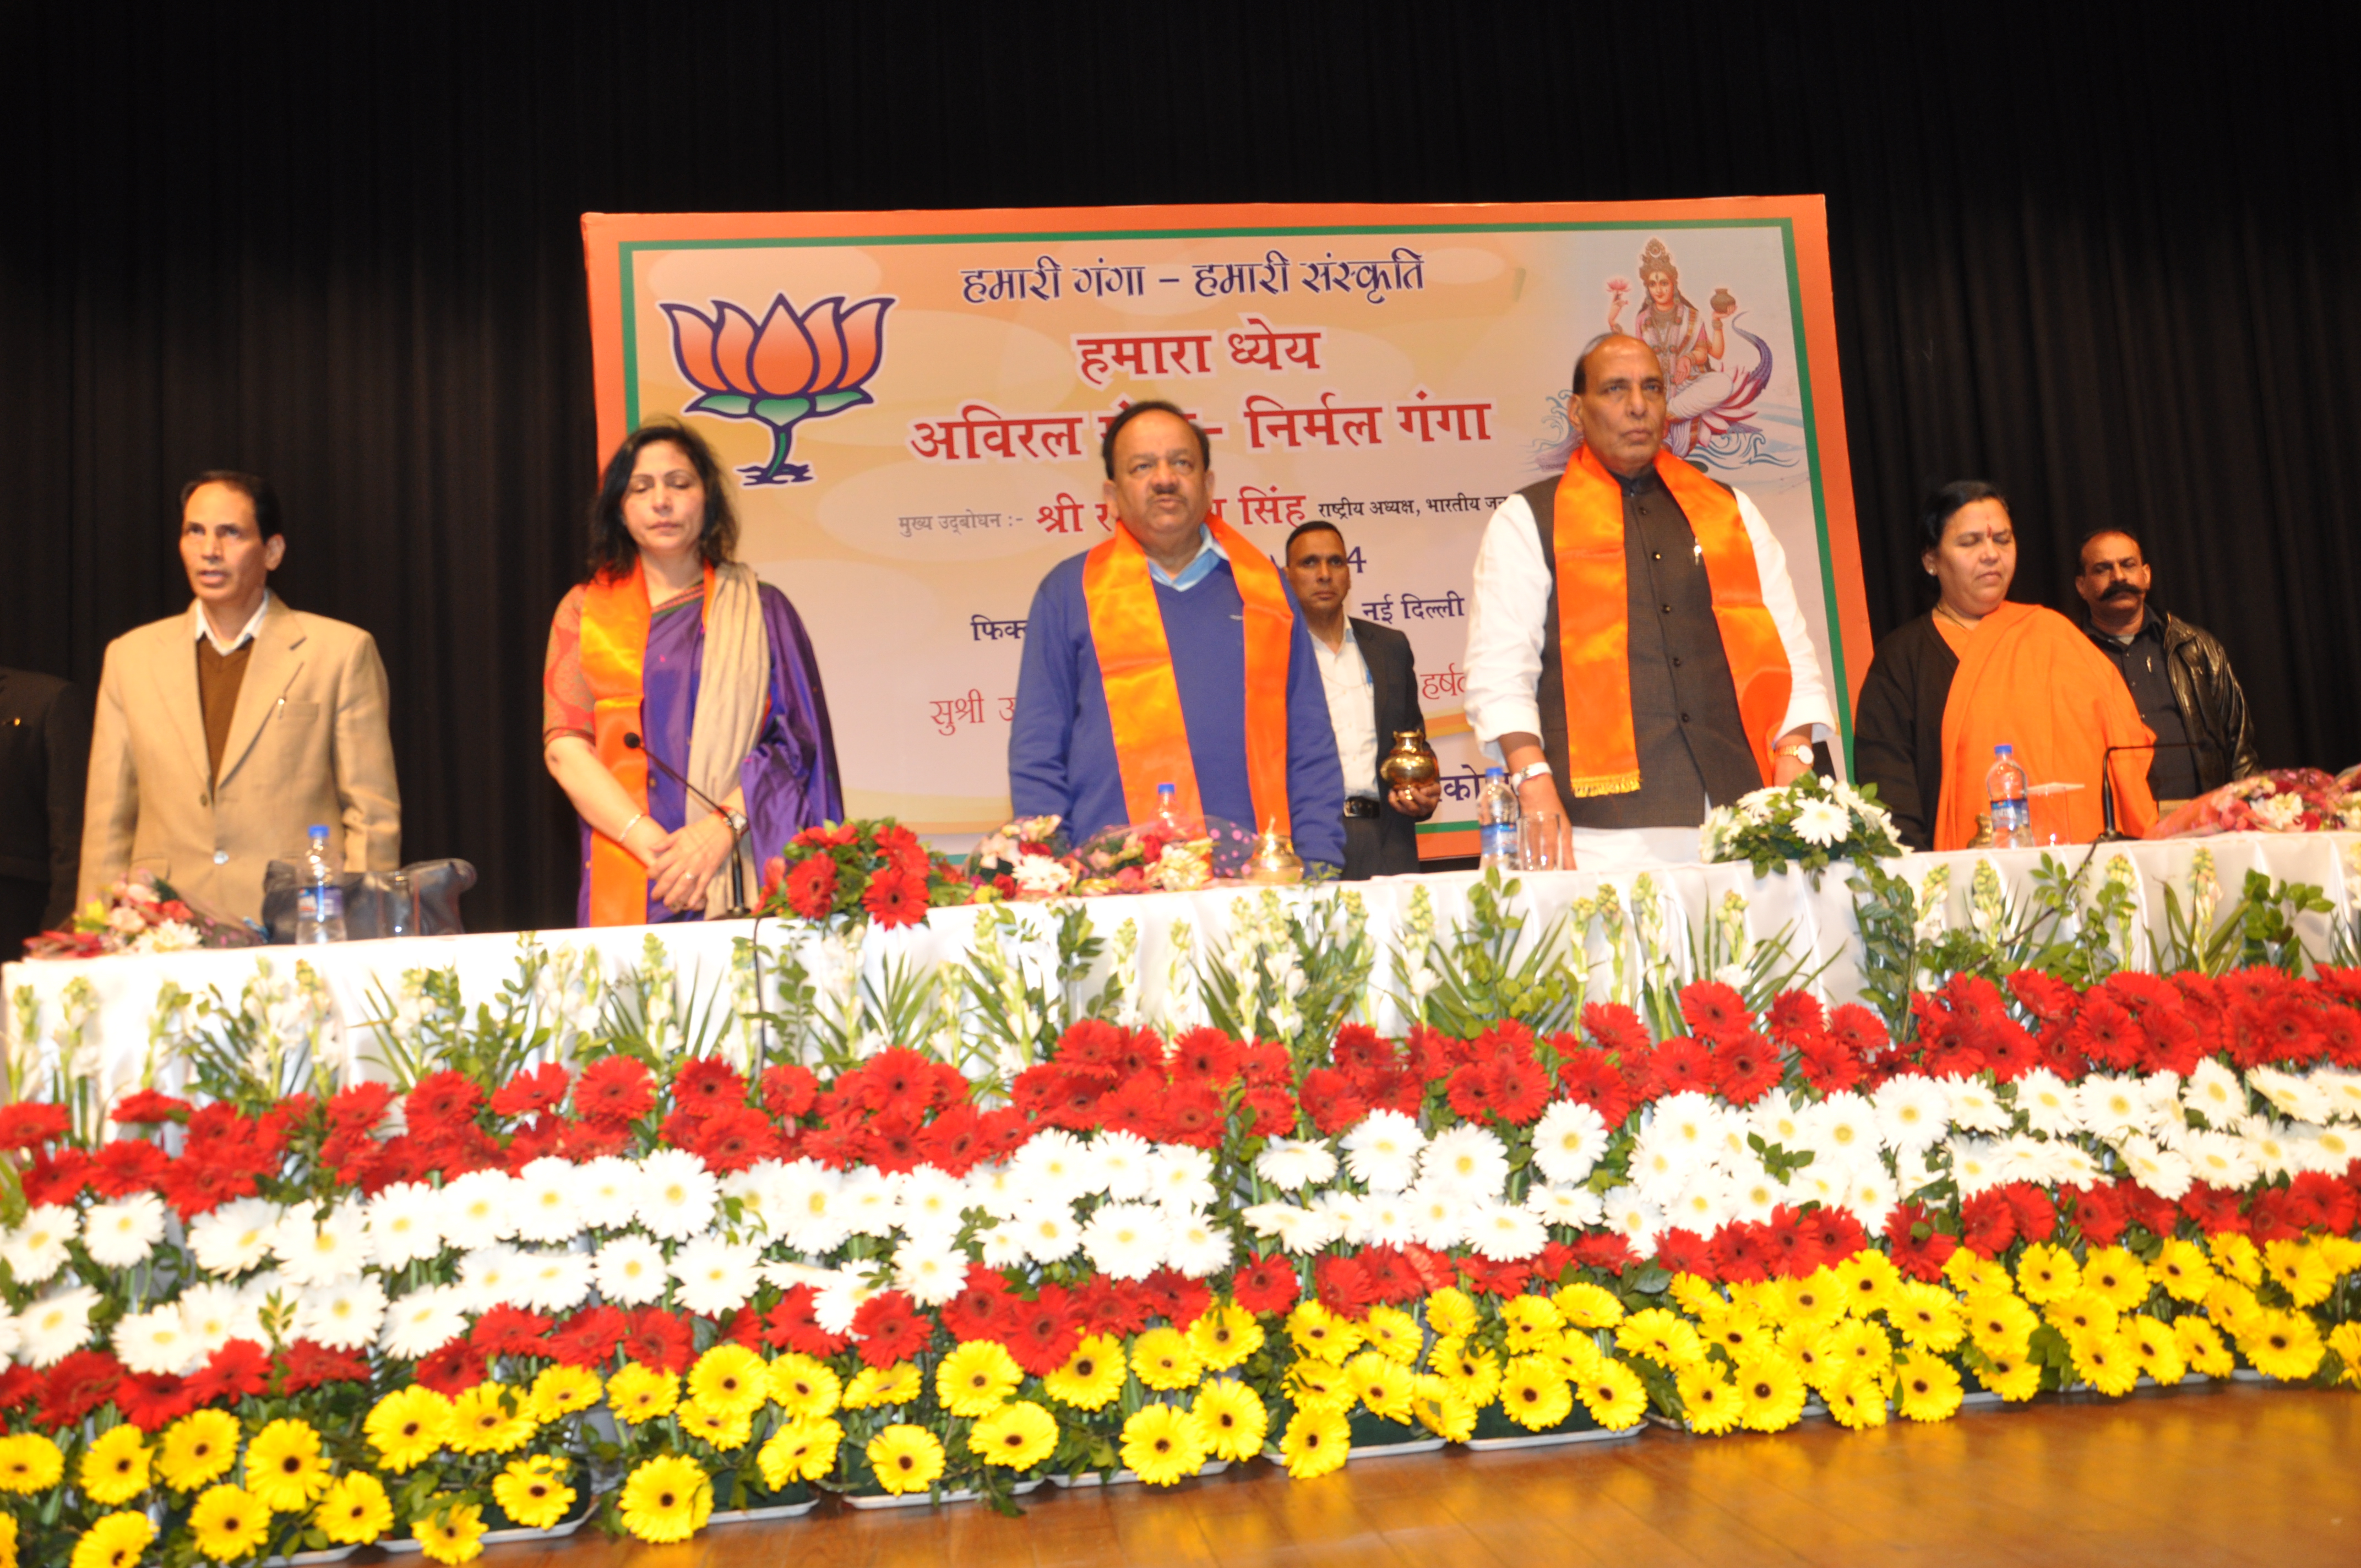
(2093, 256)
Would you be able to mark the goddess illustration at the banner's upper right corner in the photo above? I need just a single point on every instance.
(1708, 388)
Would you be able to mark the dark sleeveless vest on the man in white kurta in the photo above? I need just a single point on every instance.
(1685, 705)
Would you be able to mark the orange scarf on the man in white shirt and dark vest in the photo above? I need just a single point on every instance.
(1595, 634)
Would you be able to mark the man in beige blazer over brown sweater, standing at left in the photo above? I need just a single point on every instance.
(230, 731)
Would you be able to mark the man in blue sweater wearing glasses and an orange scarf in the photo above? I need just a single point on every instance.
(1172, 653)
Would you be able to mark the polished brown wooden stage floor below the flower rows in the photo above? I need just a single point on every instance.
(2230, 1475)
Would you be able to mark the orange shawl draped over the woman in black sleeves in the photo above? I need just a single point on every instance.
(2032, 679)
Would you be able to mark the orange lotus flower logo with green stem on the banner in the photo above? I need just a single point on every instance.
(783, 372)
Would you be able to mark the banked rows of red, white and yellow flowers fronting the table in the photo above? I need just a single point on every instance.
(327, 1314)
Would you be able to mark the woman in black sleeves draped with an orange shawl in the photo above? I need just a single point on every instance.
(1977, 674)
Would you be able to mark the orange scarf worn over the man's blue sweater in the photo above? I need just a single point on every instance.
(1144, 695)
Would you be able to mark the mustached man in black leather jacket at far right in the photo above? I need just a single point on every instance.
(2178, 672)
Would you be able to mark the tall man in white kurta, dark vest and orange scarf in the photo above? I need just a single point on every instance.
(1635, 646)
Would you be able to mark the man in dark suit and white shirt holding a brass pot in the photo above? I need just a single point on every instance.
(1373, 691)
